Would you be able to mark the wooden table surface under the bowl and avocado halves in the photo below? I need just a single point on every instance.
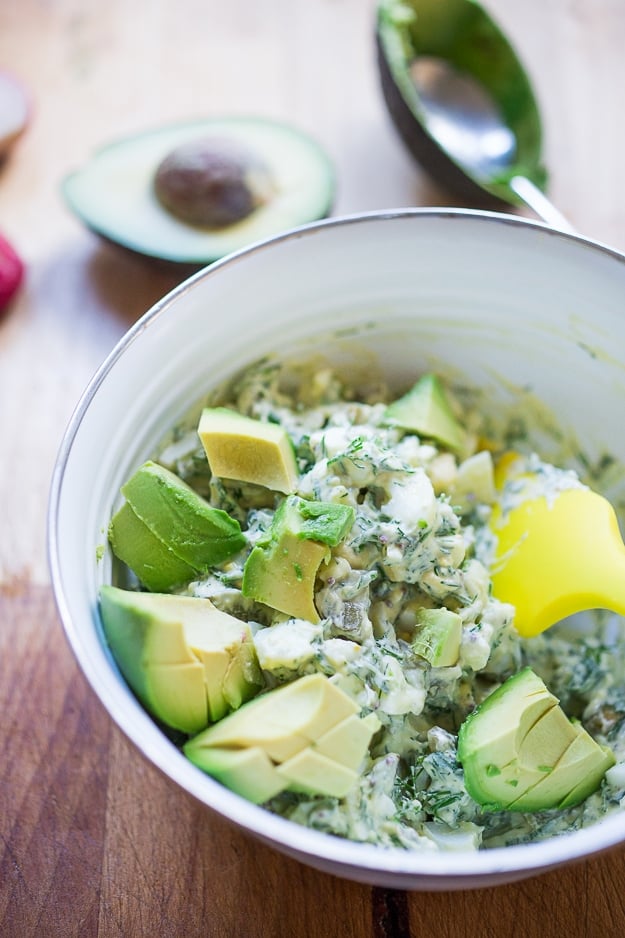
(94, 840)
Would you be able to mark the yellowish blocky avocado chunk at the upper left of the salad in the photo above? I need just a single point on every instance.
(248, 450)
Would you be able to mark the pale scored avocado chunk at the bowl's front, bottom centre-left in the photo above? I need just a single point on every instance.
(309, 733)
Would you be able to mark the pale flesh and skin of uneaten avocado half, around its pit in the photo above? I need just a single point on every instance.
(113, 192)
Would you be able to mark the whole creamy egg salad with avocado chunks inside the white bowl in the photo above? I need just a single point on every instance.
(328, 551)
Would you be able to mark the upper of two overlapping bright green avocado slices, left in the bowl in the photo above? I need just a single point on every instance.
(199, 534)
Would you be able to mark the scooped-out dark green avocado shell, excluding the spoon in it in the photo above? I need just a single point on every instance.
(462, 36)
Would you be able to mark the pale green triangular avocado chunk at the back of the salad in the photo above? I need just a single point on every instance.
(425, 409)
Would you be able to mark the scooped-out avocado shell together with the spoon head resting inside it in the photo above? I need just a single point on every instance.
(431, 55)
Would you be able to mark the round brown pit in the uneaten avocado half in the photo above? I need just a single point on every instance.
(212, 182)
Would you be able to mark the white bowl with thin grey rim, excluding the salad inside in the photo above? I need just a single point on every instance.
(491, 299)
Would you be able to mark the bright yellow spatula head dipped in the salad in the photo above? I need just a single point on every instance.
(556, 555)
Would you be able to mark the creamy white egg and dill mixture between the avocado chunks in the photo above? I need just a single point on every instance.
(411, 546)
